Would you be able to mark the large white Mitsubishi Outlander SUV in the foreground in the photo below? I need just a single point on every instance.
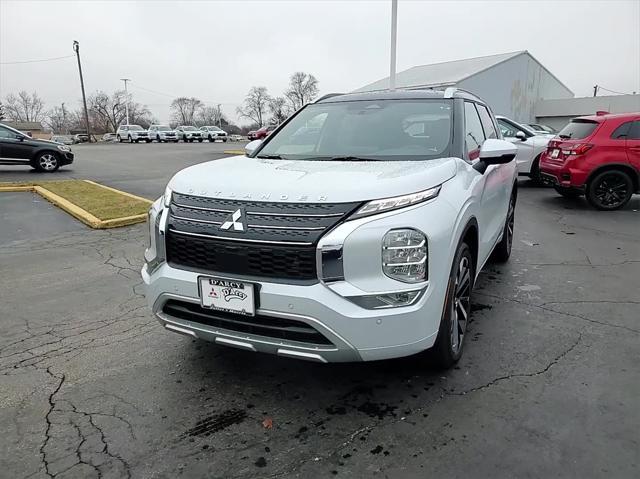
(355, 240)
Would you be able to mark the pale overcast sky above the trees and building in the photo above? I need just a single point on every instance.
(217, 50)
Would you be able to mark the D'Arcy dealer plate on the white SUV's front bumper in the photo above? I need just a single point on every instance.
(227, 295)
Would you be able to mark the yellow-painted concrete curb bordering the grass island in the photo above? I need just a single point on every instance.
(81, 214)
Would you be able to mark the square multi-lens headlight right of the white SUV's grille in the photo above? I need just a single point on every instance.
(404, 255)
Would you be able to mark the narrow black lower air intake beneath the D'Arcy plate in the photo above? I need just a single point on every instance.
(261, 325)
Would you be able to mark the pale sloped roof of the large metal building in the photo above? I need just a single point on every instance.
(441, 74)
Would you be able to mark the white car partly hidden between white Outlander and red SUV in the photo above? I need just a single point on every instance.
(530, 146)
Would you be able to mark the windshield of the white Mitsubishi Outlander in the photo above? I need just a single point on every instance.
(372, 130)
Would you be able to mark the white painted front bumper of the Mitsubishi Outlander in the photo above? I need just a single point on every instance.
(355, 333)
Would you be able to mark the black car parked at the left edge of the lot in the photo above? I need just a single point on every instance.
(16, 148)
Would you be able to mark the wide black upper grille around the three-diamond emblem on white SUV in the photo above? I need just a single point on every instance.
(277, 240)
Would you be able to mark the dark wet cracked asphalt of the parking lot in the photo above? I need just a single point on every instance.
(92, 386)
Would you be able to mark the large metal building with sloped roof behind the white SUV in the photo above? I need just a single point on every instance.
(512, 83)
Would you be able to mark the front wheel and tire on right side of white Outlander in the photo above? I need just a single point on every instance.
(449, 344)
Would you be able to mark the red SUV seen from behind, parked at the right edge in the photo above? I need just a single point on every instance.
(598, 156)
